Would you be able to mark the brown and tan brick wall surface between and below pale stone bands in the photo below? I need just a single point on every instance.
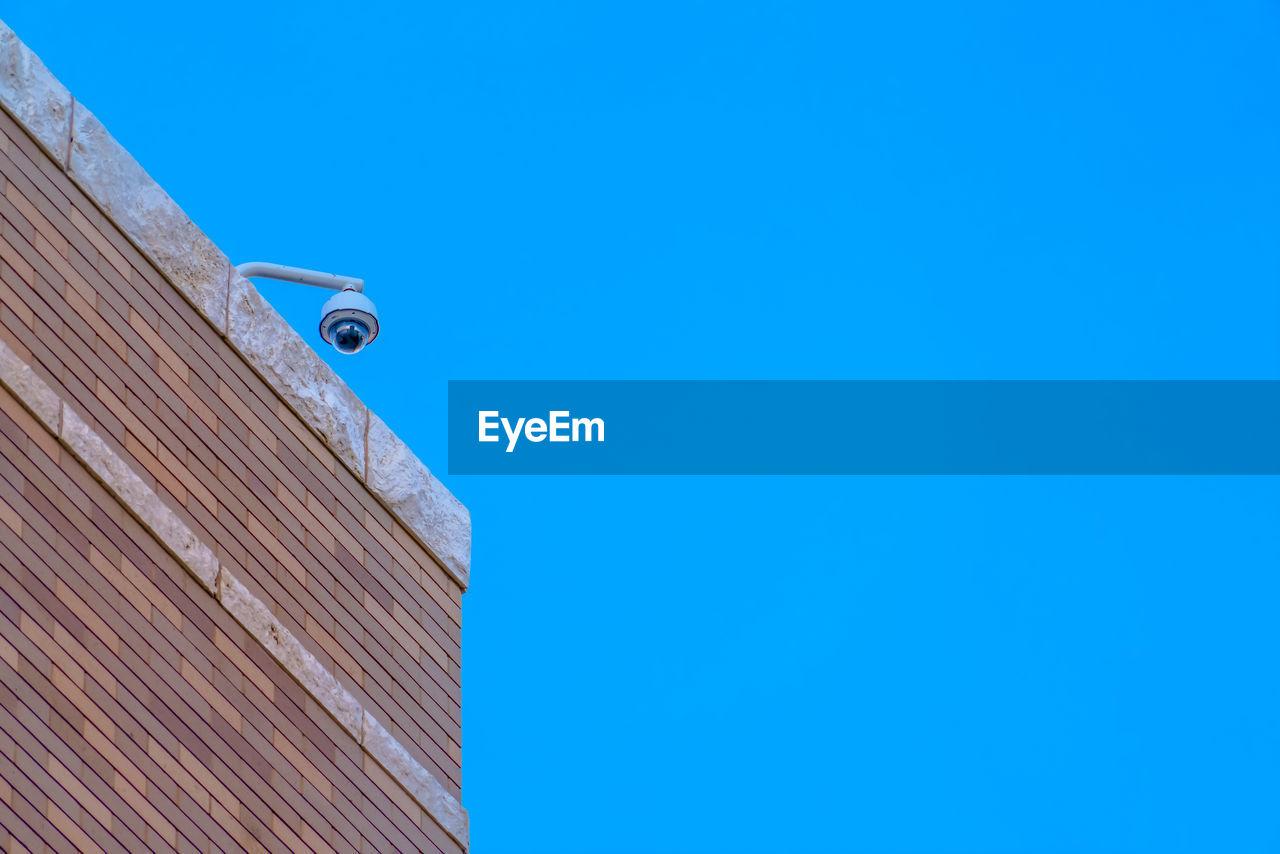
(136, 711)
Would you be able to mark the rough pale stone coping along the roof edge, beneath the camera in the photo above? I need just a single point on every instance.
(144, 212)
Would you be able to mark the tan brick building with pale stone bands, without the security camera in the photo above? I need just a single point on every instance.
(230, 596)
